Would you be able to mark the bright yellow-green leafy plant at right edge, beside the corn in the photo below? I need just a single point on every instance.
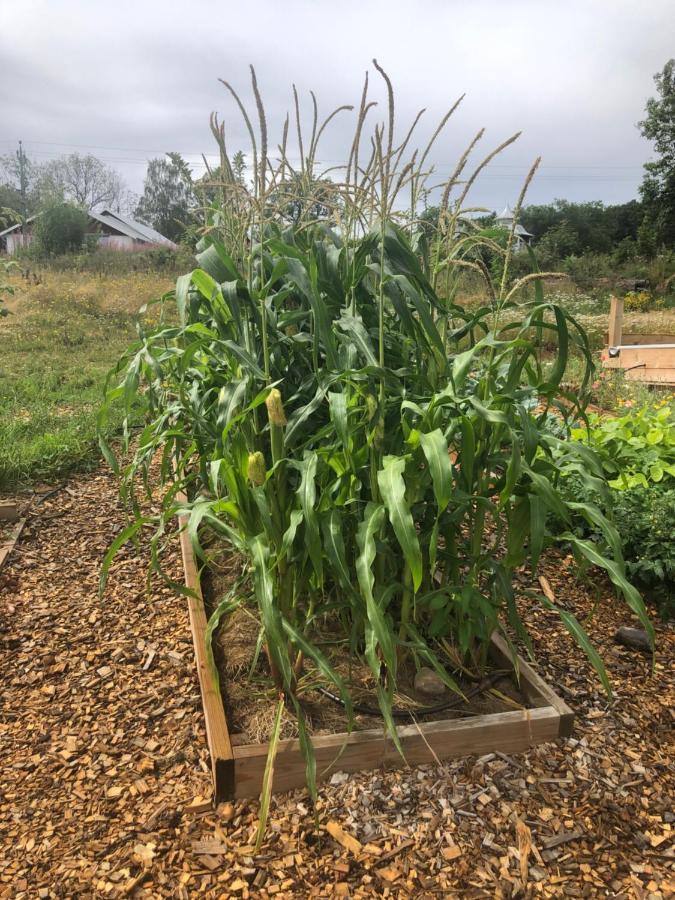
(637, 449)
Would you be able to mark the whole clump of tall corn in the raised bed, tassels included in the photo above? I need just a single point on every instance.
(373, 450)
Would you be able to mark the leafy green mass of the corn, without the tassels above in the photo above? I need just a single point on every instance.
(358, 478)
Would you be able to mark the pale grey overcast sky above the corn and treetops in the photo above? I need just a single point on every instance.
(130, 80)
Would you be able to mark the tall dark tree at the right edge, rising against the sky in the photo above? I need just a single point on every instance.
(658, 186)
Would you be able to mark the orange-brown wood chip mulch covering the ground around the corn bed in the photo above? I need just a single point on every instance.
(105, 785)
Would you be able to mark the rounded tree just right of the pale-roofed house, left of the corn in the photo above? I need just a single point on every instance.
(168, 199)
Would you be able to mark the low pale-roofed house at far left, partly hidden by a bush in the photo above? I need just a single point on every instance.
(112, 230)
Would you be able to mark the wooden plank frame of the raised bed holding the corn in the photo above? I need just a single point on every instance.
(238, 770)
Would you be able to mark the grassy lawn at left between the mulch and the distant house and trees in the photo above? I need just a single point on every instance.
(56, 348)
